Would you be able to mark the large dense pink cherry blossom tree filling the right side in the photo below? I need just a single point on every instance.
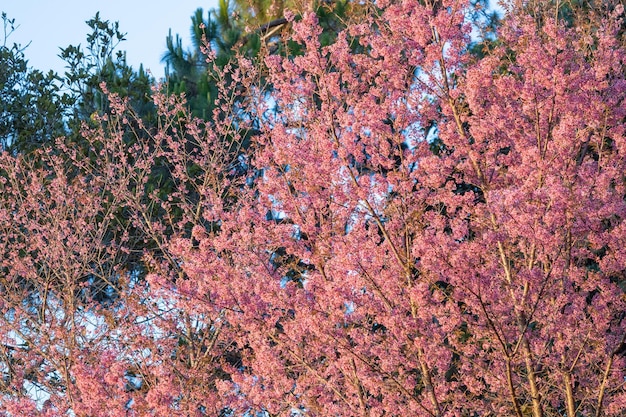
(403, 280)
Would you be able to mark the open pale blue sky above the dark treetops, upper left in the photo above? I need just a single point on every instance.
(50, 24)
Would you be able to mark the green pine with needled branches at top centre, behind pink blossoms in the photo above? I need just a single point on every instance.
(249, 28)
